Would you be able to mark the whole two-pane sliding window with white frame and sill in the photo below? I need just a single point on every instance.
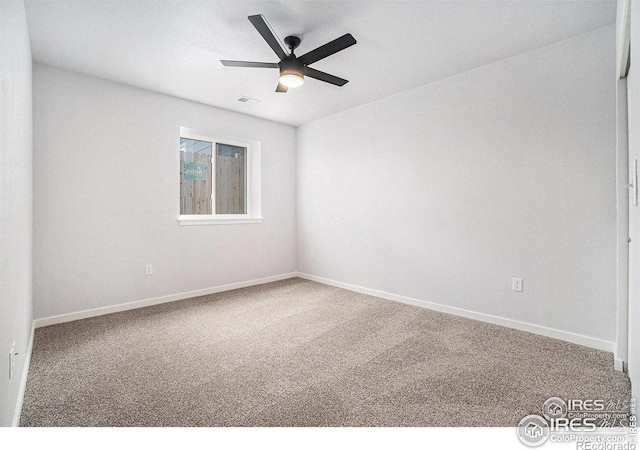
(219, 179)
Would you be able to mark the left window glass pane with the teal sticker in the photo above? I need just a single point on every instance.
(195, 177)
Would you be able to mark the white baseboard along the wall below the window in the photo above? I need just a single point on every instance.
(155, 301)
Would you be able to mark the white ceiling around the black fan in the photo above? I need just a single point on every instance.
(174, 47)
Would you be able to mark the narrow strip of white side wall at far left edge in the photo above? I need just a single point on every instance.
(16, 197)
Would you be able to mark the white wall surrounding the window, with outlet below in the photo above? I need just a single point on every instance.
(106, 197)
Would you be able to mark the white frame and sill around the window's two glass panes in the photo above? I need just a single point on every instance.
(252, 179)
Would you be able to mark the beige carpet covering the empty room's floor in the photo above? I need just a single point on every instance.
(299, 353)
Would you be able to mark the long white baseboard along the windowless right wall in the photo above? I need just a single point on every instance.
(509, 323)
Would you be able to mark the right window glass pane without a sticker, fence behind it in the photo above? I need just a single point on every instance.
(231, 179)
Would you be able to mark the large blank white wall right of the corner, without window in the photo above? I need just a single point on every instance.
(445, 192)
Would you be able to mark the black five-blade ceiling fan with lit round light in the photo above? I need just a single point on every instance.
(294, 68)
